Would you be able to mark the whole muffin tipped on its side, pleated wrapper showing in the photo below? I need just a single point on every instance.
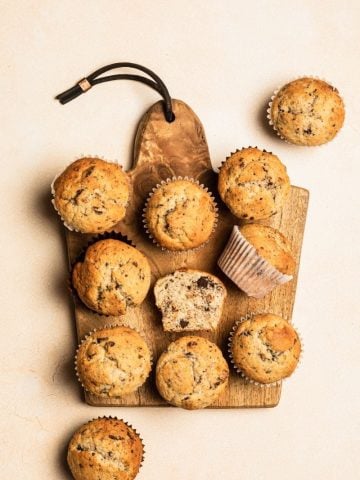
(257, 258)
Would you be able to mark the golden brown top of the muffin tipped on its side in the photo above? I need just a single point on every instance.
(271, 245)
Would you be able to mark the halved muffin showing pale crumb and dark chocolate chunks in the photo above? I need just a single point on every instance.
(189, 300)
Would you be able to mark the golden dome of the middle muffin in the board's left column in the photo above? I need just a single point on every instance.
(112, 277)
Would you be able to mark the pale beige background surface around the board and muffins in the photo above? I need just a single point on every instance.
(224, 59)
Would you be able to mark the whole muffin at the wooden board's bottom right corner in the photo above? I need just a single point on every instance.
(265, 348)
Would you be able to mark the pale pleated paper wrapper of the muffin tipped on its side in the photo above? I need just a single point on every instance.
(248, 270)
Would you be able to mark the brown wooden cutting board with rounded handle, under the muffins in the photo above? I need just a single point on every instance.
(164, 150)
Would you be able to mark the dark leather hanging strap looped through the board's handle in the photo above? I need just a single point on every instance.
(94, 78)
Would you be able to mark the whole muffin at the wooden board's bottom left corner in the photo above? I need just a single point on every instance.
(113, 362)
